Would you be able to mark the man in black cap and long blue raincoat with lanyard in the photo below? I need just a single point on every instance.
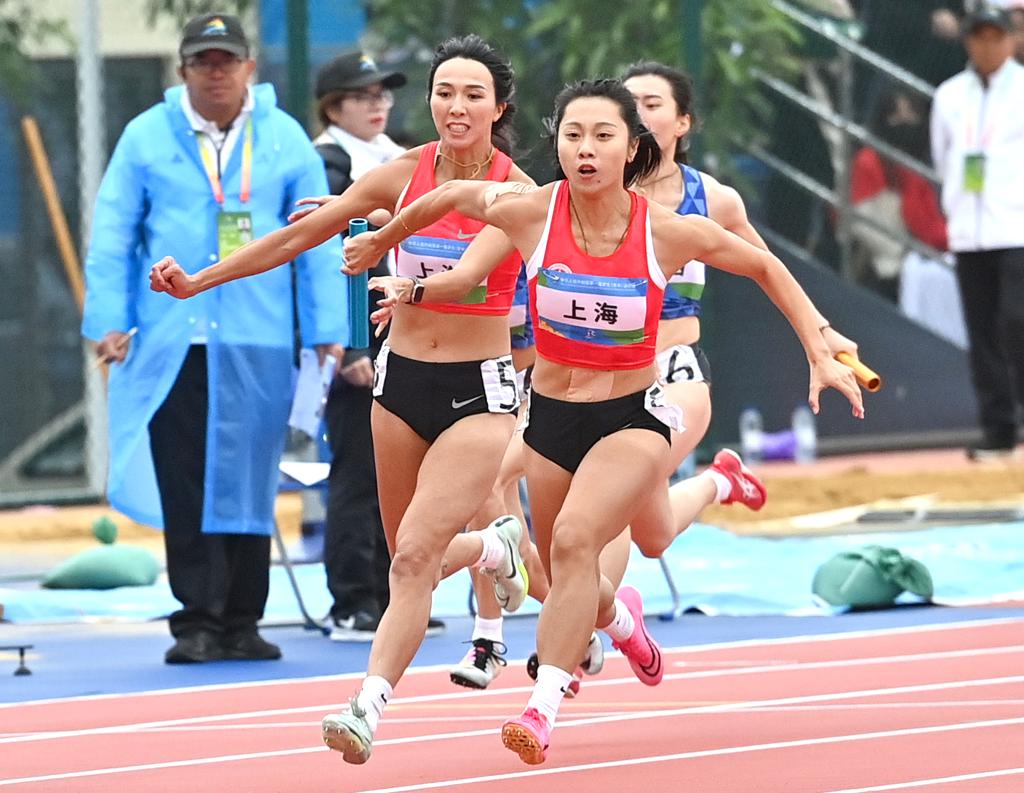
(201, 390)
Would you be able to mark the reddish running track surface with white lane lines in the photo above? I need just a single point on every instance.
(937, 708)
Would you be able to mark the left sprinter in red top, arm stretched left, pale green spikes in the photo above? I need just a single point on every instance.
(445, 394)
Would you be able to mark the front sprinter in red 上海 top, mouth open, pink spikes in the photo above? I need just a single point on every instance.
(600, 258)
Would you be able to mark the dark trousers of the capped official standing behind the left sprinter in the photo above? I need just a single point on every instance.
(356, 555)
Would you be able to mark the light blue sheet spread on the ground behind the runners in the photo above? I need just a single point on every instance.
(715, 572)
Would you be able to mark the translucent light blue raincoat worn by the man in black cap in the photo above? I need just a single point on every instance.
(155, 201)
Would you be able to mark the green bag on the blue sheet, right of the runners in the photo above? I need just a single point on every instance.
(871, 577)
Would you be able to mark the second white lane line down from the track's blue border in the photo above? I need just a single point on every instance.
(456, 696)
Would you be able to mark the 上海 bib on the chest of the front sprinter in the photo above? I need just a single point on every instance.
(600, 310)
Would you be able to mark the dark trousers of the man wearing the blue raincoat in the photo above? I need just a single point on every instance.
(222, 580)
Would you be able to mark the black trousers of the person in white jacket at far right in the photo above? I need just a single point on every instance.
(993, 290)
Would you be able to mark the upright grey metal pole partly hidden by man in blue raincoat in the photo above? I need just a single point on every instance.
(92, 157)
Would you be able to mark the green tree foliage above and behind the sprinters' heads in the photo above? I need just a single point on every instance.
(551, 43)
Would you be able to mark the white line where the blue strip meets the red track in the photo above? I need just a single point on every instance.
(808, 639)
